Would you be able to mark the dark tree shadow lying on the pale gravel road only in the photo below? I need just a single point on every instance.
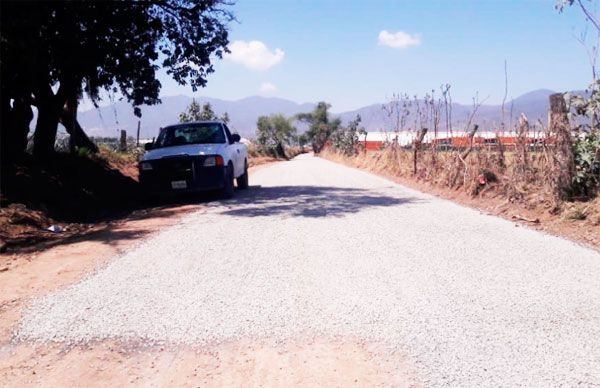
(308, 201)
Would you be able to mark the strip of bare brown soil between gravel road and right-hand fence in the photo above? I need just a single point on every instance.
(577, 221)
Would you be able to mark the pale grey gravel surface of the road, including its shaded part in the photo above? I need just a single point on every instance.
(319, 249)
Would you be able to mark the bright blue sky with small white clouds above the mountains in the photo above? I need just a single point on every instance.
(309, 51)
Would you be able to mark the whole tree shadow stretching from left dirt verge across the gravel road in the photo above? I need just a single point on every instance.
(257, 201)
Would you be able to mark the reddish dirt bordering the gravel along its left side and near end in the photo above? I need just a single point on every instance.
(298, 362)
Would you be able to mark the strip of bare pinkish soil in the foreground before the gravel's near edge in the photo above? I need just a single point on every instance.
(301, 362)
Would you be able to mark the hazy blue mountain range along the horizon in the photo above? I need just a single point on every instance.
(243, 114)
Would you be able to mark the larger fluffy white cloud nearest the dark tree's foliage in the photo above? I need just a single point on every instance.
(254, 54)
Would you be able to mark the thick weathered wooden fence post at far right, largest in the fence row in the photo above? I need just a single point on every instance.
(563, 161)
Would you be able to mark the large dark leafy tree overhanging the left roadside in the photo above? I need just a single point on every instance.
(53, 52)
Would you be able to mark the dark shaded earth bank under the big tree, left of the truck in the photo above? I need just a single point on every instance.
(74, 195)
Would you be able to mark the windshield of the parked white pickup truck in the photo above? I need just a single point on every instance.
(193, 133)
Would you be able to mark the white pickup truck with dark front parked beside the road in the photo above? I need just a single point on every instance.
(195, 156)
